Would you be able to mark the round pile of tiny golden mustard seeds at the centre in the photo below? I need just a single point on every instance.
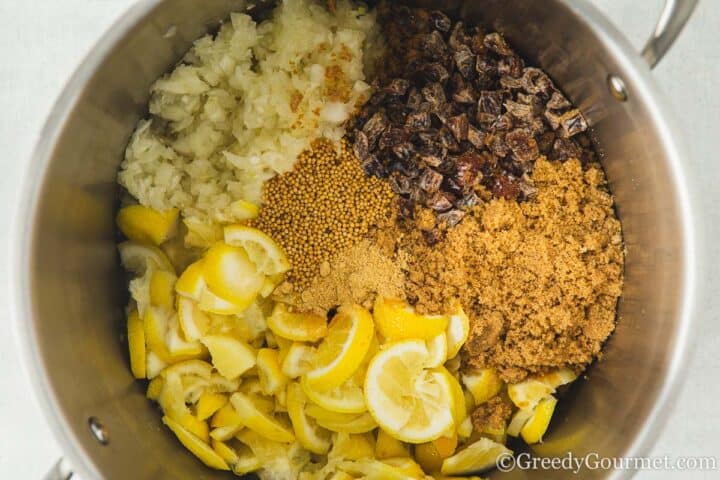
(325, 205)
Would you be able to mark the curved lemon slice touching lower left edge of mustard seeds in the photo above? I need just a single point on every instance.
(267, 255)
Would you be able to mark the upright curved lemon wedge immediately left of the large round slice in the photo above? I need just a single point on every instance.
(341, 352)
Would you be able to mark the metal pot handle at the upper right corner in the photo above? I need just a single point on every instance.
(674, 16)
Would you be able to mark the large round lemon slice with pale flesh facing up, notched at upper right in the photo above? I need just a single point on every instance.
(408, 401)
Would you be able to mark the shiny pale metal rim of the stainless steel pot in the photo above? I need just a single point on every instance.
(633, 67)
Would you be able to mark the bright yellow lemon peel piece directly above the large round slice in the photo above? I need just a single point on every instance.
(396, 320)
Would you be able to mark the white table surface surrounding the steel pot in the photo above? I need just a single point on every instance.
(42, 41)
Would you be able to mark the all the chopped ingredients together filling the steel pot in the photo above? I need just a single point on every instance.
(390, 308)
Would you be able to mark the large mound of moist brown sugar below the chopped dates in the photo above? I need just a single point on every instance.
(539, 279)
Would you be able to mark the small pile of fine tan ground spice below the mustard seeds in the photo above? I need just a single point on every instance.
(357, 275)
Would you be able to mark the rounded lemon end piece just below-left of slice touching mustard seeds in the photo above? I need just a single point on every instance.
(231, 275)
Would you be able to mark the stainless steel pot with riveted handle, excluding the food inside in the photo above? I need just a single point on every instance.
(70, 288)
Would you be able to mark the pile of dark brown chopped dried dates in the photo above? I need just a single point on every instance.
(457, 116)
